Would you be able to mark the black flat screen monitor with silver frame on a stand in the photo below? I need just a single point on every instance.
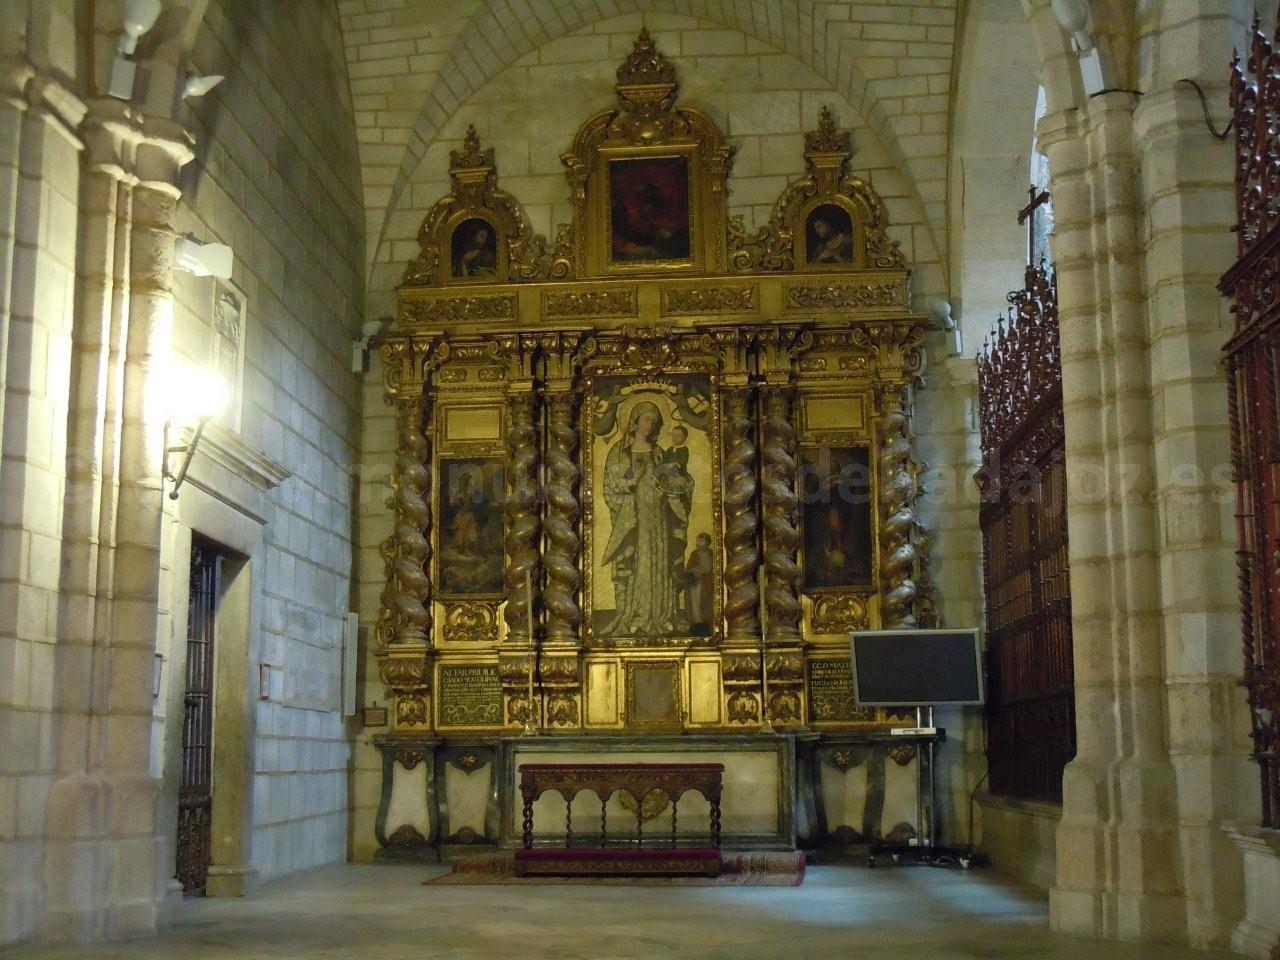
(917, 668)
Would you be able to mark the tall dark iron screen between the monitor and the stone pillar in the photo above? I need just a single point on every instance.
(1031, 701)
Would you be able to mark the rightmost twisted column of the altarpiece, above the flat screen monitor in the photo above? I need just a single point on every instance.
(898, 508)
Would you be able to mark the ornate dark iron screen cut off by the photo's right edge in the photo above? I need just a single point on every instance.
(1252, 355)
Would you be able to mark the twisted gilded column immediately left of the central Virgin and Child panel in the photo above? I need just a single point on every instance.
(560, 597)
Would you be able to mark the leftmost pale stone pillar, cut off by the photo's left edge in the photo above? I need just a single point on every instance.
(39, 208)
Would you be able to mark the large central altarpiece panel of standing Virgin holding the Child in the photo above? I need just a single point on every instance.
(653, 527)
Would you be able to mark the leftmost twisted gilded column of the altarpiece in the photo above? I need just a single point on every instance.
(406, 598)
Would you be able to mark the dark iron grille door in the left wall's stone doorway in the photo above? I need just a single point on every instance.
(195, 794)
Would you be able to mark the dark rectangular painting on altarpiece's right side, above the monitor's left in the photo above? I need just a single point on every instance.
(836, 497)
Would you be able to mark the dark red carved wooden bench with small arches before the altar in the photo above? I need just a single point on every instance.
(605, 780)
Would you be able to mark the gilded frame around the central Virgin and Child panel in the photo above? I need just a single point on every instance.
(589, 468)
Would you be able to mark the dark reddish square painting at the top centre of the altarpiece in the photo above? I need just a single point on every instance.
(650, 209)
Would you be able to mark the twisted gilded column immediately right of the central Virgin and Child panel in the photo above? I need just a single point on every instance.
(743, 555)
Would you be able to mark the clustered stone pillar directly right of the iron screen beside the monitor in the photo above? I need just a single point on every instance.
(1118, 865)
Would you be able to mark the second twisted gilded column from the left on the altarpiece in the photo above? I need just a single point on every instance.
(523, 524)
